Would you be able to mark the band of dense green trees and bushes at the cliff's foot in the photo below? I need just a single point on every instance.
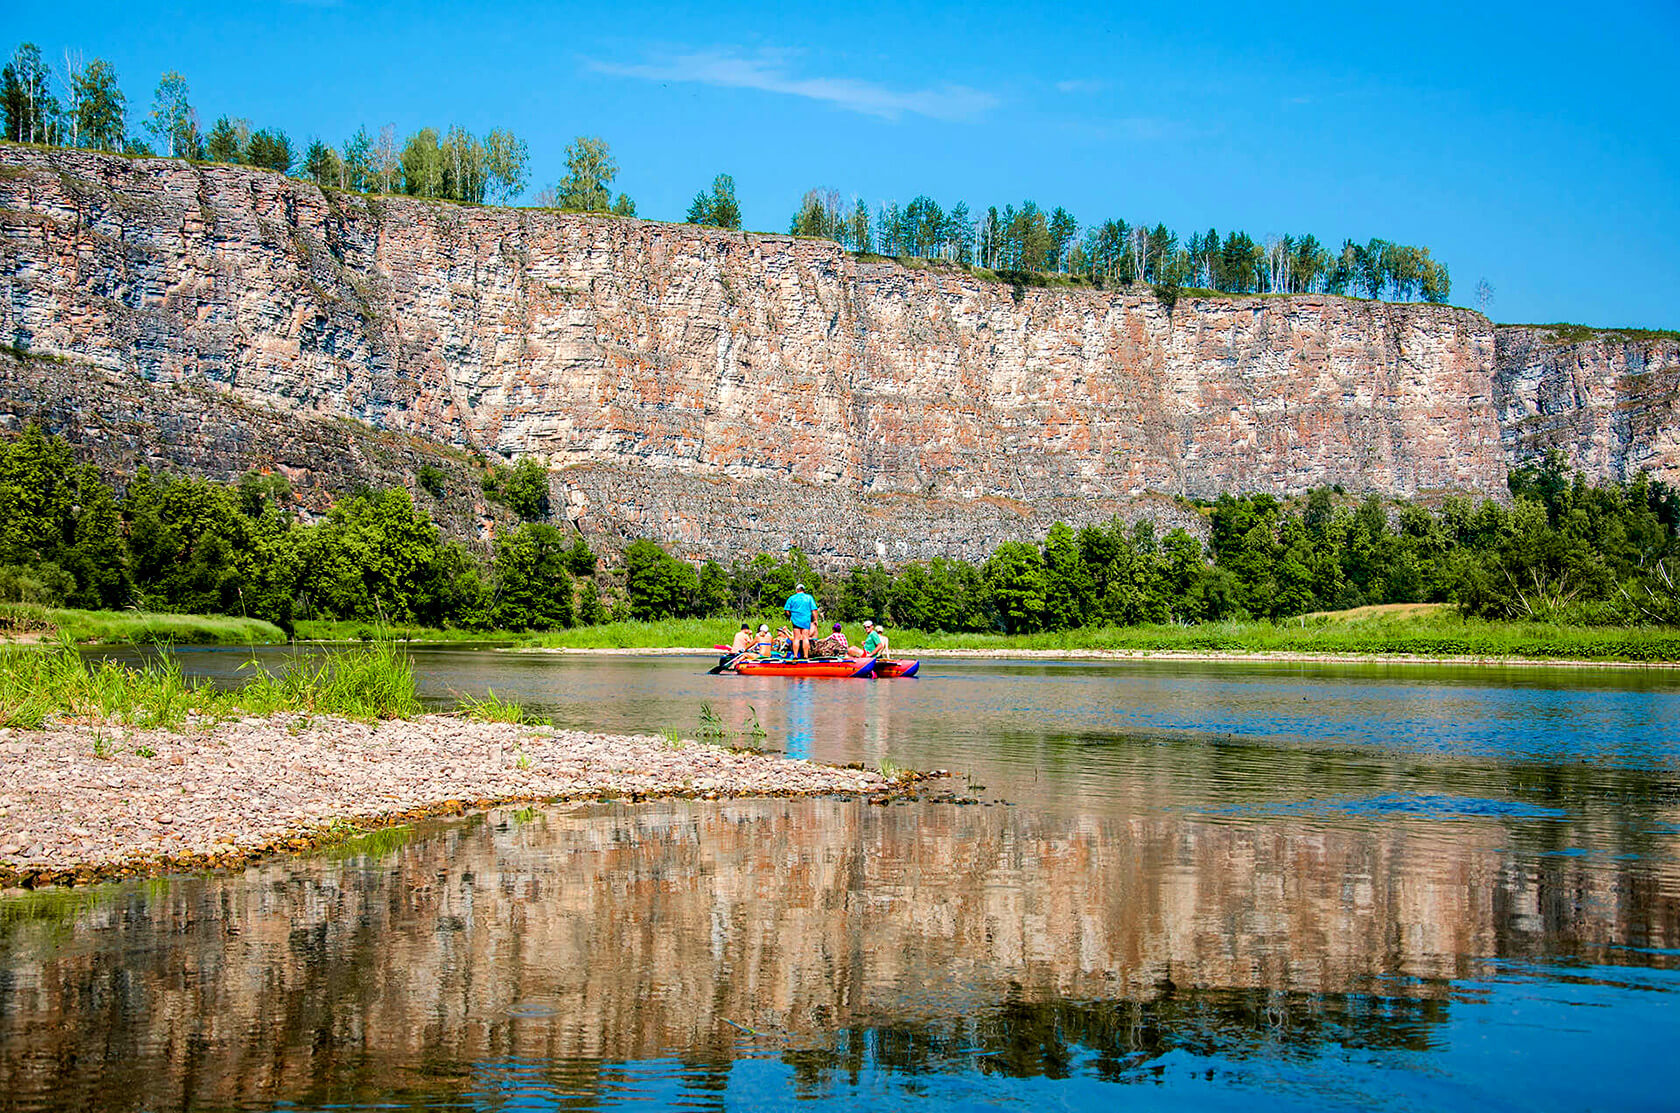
(1560, 551)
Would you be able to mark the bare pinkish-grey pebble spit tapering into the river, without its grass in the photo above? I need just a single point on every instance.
(85, 803)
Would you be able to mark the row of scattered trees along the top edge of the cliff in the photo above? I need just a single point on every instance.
(81, 105)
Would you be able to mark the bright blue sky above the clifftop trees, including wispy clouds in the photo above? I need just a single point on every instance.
(1531, 145)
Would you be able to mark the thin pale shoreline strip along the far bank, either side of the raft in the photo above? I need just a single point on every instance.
(1160, 655)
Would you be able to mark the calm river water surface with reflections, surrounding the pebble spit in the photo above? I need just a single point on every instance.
(1226, 885)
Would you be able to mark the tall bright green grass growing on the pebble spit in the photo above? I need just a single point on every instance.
(367, 683)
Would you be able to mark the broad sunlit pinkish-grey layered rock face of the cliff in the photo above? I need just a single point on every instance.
(735, 391)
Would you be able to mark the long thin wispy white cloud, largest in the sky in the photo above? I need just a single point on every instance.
(772, 71)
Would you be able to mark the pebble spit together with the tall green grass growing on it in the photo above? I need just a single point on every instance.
(113, 771)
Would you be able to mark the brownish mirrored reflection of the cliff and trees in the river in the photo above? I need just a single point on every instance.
(582, 939)
